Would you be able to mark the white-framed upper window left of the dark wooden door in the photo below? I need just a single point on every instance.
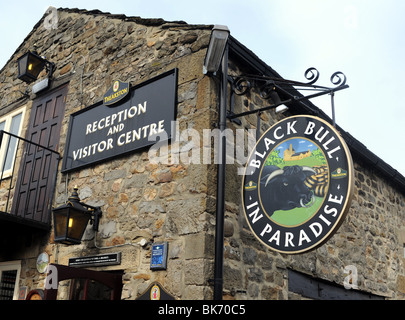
(11, 123)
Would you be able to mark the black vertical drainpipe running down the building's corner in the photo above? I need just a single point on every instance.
(220, 201)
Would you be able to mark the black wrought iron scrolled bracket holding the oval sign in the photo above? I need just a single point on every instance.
(268, 88)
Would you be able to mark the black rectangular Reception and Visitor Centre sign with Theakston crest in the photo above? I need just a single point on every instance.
(126, 120)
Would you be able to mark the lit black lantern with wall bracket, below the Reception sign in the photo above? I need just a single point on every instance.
(70, 220)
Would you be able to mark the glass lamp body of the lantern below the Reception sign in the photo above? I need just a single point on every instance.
(70, 222)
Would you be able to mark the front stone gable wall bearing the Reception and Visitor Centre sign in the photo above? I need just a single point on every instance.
(140, 200)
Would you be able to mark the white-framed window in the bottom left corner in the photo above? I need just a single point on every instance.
(9, 278)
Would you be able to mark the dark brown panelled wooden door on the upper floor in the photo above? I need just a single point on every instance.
(36, 178)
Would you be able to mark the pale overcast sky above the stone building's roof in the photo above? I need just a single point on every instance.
(361, 38)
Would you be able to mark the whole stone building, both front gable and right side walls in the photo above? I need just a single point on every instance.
(168, 195)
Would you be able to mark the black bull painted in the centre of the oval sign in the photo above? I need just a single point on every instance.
(291, 187)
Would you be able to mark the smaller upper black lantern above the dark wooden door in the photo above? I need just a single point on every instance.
(31, 64)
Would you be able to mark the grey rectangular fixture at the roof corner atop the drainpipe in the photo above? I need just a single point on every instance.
(216, 49)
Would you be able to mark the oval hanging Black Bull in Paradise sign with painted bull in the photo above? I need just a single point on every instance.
(298, 184)
